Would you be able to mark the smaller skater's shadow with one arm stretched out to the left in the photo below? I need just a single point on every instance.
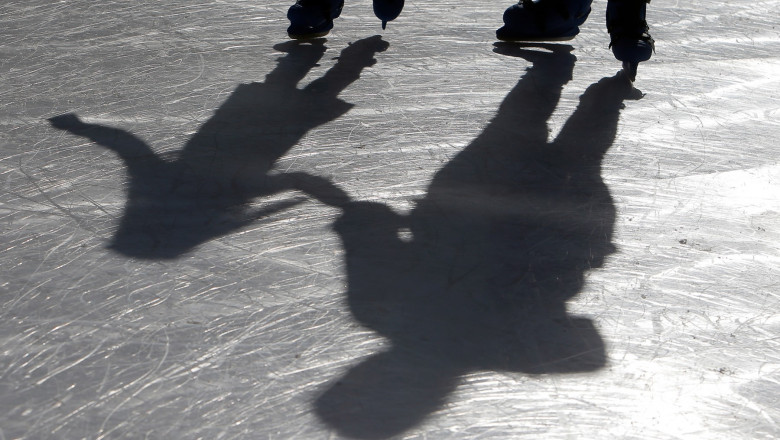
(175, 204)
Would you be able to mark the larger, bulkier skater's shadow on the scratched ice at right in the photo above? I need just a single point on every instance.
(477, 276)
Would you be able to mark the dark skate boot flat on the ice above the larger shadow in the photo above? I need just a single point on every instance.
(544, 20)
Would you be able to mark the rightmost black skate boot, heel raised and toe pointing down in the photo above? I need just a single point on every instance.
(630, 38)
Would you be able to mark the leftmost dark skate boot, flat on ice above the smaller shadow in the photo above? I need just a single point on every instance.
(312, 18)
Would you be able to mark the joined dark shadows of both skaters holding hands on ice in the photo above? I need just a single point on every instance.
(475, 278)
